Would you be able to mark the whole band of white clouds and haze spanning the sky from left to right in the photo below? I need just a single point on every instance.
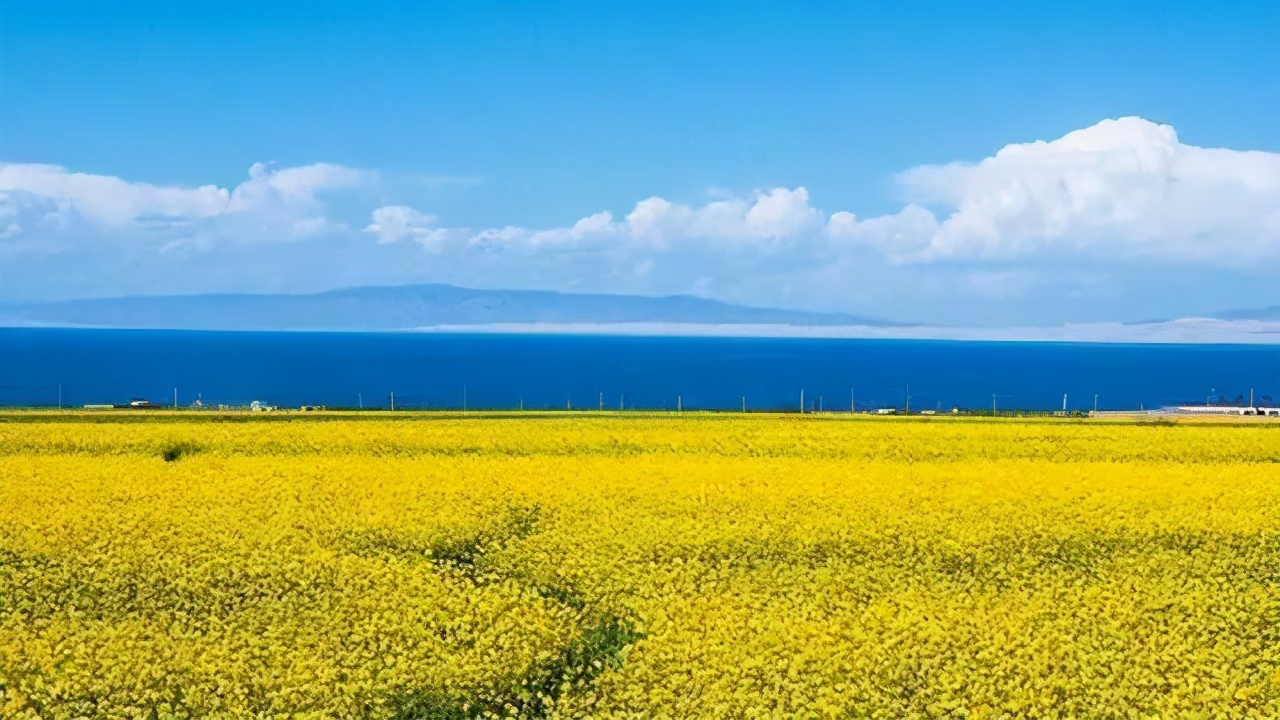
(1064, 220)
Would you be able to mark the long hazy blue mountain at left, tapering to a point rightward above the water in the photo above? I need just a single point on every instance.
(403, 308)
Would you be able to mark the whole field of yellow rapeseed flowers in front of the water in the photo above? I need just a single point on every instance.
(657, 567)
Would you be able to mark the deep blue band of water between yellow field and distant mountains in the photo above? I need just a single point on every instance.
(501, 372)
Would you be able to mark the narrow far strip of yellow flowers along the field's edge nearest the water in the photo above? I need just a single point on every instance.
(920, 440)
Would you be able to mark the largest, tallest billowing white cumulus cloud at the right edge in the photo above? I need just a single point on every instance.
(1114, 192)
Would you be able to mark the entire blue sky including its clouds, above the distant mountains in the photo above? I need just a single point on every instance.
(486, 131)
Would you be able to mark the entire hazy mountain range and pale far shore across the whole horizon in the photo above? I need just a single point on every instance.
(444, 308)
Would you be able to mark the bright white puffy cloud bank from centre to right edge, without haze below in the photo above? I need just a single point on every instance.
(1113, 193)
